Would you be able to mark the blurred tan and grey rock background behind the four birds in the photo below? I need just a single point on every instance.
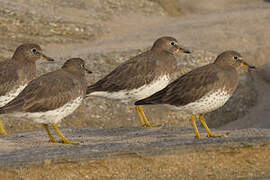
(106, 33)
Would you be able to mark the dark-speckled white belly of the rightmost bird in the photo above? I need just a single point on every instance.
(207, 103)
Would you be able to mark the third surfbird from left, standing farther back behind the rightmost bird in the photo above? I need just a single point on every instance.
(140, 76)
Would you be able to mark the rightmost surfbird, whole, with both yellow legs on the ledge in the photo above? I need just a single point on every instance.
(202, 90)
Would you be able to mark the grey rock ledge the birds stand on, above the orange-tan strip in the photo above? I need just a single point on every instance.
(32, 148)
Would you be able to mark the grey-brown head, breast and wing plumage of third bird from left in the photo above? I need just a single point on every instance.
(141, 69)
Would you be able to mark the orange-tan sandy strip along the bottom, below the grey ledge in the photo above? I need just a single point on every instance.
(249, 163)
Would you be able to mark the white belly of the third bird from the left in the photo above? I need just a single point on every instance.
(136, 94)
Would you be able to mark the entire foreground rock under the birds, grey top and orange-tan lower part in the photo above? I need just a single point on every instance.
(137, 153)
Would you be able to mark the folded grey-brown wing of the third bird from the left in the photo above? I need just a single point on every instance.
(129, 75)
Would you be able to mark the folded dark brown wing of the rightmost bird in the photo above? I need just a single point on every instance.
(186, 89)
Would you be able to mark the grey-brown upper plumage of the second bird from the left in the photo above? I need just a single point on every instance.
(52, 90)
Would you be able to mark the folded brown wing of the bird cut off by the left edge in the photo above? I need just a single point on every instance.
(8, 76)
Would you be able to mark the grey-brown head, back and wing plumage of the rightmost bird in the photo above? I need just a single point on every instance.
(191, 87)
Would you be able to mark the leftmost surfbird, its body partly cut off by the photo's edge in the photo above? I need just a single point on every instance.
(16, 72)
